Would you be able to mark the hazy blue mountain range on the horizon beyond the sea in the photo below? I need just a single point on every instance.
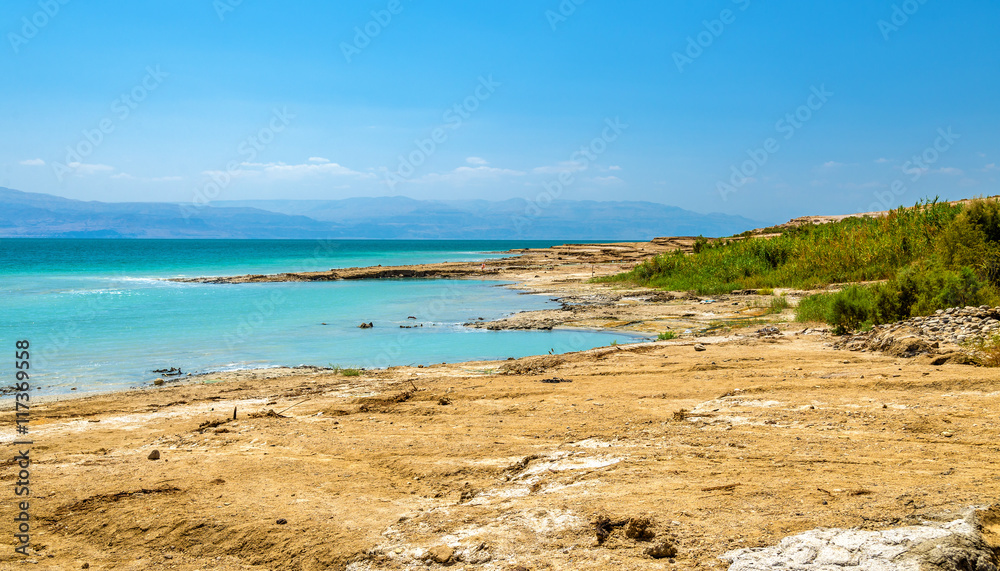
(24, 214)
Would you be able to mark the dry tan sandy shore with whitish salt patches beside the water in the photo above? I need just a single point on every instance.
(745, 429)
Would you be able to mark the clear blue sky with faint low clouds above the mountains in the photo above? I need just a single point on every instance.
(767, 109)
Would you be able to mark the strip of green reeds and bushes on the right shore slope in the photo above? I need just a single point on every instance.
(907, 262)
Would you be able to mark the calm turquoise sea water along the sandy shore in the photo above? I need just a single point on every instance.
(100, 317)
